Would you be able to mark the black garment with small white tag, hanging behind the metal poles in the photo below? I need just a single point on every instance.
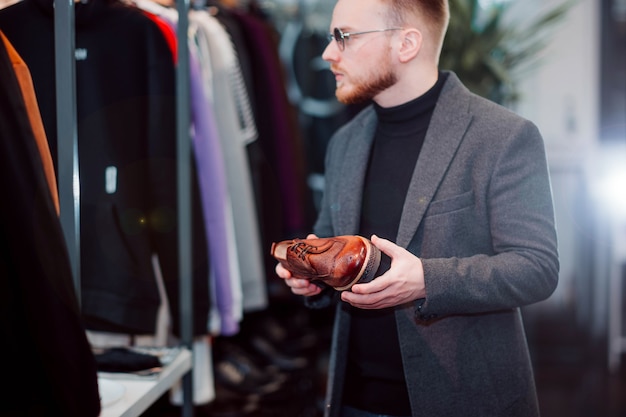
(125, 94)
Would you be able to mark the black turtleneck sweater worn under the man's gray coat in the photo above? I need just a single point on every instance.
(374, 378)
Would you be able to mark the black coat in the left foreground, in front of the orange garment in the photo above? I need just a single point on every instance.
(48, 367)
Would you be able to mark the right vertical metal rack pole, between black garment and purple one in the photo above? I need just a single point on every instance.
(183, 139)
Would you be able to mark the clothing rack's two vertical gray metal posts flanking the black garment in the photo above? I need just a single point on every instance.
(69, 181)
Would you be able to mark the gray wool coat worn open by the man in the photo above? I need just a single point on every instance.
(479, 214)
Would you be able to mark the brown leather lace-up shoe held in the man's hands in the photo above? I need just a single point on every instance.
(339, 261)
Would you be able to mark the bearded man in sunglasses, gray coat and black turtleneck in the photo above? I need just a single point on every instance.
(454, 191)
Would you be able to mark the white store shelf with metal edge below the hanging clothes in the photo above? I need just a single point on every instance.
(141, 392)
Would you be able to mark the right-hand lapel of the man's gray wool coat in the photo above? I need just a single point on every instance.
(447, 127)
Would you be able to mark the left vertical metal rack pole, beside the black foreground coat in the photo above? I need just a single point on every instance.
(67, 143)
